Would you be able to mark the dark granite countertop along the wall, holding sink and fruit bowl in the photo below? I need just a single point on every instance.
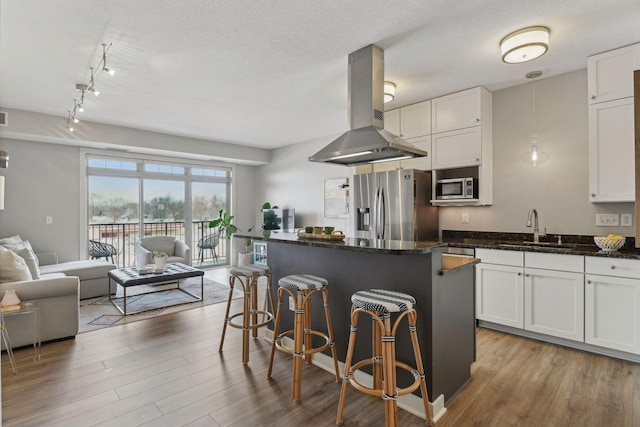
(571, 244)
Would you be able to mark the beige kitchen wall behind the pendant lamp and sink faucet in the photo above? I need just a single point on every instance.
(558, 188)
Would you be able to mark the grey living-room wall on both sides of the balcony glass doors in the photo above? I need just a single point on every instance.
(43, 179)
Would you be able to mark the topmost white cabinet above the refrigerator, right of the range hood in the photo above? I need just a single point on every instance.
(411, 121)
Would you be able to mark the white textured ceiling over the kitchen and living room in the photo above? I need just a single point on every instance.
(272, 73)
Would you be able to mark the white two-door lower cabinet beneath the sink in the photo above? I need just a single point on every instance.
(513, 290)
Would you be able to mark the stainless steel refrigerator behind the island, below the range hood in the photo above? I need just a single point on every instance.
(394, 205)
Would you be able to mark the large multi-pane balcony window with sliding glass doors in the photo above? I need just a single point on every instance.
(130, 198)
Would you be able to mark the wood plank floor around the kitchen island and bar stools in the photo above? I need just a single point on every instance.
(167, 372)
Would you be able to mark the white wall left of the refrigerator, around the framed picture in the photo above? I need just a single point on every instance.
(291, 181)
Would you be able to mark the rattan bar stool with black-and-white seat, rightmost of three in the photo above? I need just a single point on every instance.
(379, 304)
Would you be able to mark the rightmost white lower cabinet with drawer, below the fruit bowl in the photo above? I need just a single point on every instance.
(612, 303)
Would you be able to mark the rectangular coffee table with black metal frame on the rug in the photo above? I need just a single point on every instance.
(131, 276)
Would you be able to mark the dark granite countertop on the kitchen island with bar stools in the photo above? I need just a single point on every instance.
(395, 247)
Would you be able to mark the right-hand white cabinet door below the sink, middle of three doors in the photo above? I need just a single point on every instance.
(554, 303)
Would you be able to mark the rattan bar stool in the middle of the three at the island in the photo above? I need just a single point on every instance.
(301, 287)
